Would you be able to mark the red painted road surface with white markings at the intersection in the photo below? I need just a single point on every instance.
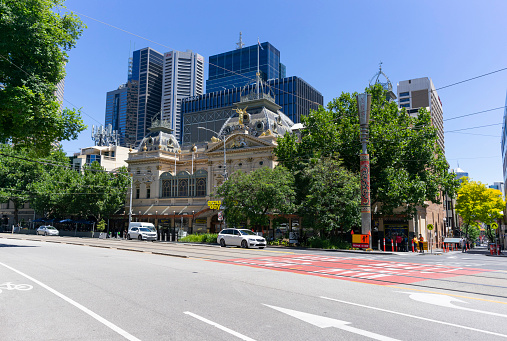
(355, 269)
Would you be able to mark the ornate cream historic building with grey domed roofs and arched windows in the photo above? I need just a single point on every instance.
(173, 186)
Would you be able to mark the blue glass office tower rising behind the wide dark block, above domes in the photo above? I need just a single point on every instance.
(238, 67)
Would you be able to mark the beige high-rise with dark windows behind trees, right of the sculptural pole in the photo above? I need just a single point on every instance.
(419, 93)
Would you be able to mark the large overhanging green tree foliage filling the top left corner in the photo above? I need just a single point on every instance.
(34, 41)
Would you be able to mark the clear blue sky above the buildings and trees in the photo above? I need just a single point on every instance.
(335, 46)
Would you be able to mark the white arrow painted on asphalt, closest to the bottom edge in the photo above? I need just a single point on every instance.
(326, 322)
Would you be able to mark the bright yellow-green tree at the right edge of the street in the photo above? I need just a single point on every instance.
(476, 203)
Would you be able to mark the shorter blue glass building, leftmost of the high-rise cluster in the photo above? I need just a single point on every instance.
(121, 112)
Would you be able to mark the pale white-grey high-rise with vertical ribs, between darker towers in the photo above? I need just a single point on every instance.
(183, 76)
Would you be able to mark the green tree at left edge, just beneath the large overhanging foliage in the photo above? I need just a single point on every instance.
(19, 169)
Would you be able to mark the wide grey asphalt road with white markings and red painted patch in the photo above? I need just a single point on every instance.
(59, 288)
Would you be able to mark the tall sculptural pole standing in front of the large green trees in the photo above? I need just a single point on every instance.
(363, 108)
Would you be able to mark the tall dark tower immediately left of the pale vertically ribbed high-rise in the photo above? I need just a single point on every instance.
(147, 71)
